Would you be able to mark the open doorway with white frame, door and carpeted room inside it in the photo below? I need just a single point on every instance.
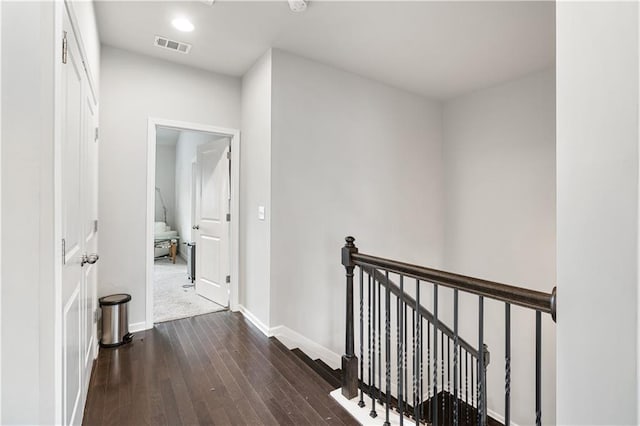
(191, 232)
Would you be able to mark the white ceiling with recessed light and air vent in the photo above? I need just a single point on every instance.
(437, 49)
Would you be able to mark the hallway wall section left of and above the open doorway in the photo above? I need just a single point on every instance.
(134, 88)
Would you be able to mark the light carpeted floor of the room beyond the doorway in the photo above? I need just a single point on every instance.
(171, 300)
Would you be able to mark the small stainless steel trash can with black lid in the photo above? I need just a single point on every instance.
(115, 320)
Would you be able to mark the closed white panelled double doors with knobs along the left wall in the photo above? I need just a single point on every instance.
(78, 210)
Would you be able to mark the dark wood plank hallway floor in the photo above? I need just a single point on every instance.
(210, 369)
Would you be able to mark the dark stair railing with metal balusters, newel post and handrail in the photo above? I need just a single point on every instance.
(450, 388)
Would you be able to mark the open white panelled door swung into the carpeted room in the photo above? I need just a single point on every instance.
(212, 225)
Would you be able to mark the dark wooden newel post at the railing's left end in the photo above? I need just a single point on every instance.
(349, 359)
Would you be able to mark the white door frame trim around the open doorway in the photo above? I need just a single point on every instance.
(234, 246)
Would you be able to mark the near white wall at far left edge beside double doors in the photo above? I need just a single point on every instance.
(28, 252)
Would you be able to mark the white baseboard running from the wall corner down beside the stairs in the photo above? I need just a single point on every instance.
(292, 339)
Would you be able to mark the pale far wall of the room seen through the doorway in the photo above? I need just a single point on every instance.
(166, 182)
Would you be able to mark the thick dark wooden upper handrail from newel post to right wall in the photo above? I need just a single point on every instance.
(532, 299)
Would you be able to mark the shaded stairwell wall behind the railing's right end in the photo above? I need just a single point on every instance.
(499, 161)
